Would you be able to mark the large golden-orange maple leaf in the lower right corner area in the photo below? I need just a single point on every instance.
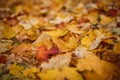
(92, 63)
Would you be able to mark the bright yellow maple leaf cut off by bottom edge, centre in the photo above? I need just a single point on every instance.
(56, 74)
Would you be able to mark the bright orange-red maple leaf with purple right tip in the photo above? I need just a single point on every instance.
(43, 53)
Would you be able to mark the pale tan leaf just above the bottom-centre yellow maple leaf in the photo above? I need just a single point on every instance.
(57, 61)
